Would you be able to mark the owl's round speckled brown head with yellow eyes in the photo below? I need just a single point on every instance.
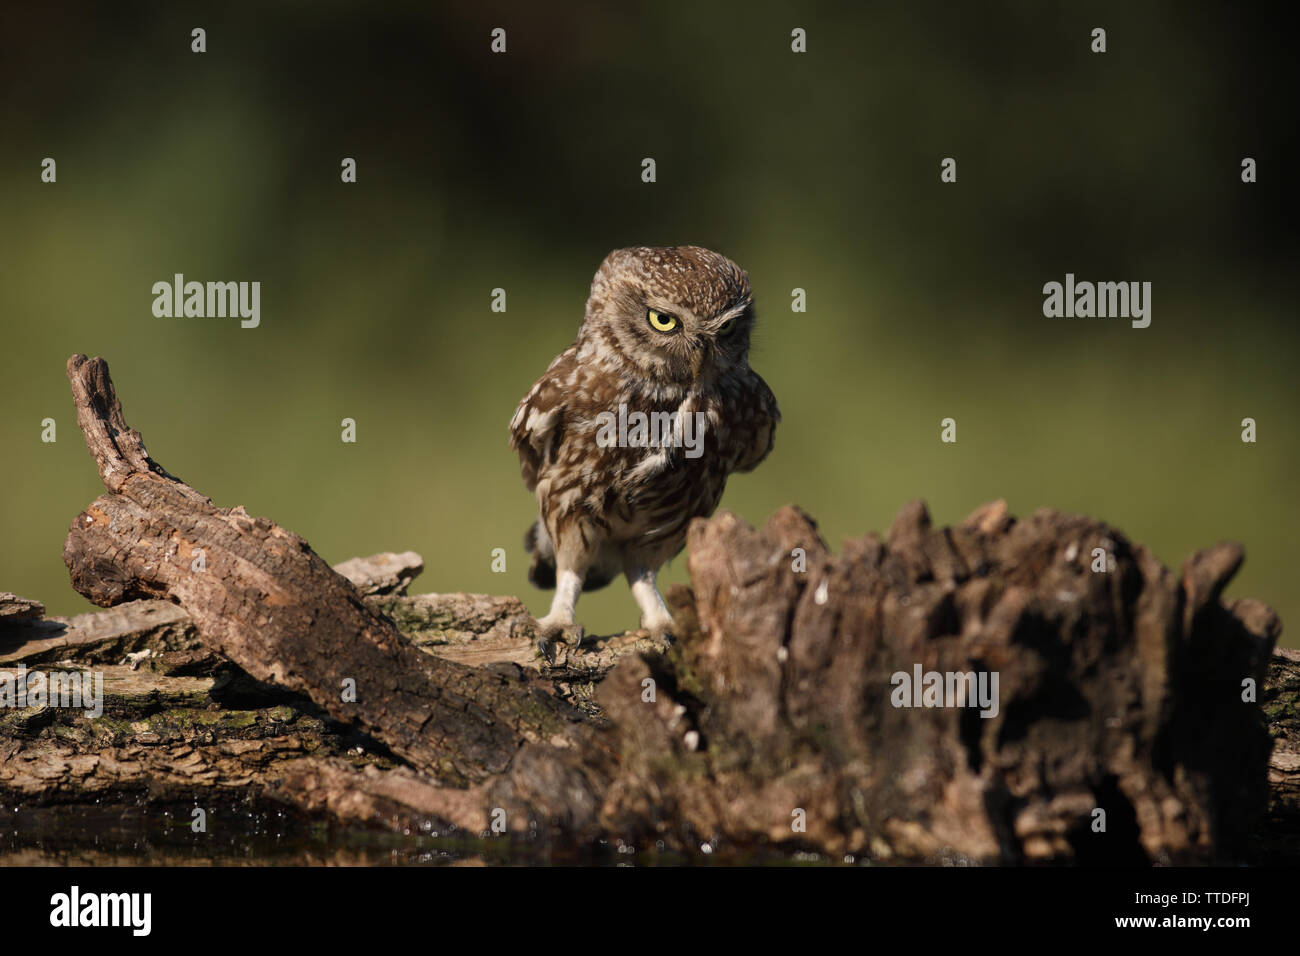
(675, 314)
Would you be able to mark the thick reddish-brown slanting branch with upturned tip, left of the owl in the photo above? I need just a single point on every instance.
(263, 599)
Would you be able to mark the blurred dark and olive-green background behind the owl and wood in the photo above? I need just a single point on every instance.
(818, 171)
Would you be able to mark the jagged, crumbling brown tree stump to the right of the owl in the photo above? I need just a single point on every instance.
(1121, 693)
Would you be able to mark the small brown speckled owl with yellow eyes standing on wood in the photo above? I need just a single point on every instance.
(626, 509)
